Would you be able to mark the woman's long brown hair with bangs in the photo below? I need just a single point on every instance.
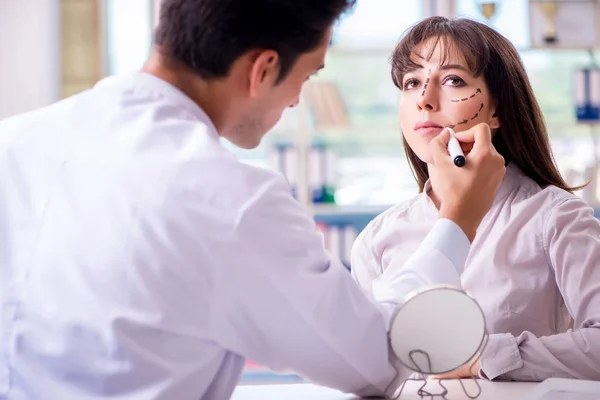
(522, 137)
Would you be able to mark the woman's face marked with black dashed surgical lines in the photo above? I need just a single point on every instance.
(435, 96)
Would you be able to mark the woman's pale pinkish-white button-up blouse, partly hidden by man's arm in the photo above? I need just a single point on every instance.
(534, 263)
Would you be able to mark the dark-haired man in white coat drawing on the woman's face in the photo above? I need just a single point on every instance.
(140, 260)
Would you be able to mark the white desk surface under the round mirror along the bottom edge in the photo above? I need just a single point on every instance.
(489, 391)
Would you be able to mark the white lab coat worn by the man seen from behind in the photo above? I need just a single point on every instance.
(140, 260)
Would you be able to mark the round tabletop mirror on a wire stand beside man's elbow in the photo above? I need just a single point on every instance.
(437, 330)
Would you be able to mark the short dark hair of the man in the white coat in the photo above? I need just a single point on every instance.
(209, 35)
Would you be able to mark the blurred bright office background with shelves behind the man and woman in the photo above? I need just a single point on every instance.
(341, 150)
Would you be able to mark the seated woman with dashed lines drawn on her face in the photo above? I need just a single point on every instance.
(535, 261)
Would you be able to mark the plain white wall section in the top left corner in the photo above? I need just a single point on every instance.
(29, 54)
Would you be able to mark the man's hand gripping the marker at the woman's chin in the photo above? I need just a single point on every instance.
(466, 193)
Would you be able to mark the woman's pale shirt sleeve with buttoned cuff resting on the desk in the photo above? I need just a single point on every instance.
(571, 239)
